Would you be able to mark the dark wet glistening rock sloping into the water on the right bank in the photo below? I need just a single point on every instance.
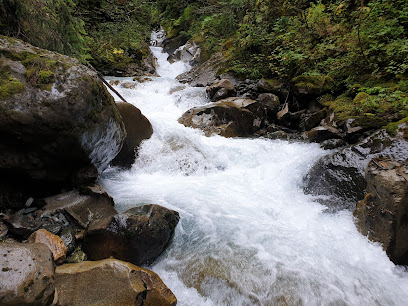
(338, 178)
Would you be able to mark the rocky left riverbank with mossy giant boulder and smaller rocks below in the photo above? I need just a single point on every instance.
(60, 129)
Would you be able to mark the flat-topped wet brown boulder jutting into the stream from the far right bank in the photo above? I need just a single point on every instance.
(228, 117)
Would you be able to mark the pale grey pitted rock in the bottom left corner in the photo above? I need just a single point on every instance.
(26, 275)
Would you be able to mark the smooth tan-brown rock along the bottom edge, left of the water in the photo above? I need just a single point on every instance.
(114, 282)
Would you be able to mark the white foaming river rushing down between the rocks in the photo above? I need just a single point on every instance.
(248, 235)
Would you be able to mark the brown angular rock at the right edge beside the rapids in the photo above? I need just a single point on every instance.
(383, 214)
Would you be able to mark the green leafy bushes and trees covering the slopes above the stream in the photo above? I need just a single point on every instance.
(354, 50)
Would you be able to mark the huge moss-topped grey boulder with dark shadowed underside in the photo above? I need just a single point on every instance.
(59, 126)
